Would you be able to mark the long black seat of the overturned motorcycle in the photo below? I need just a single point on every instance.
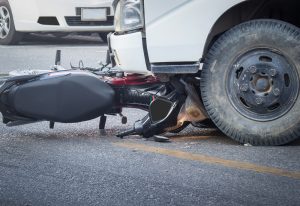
(66, 97)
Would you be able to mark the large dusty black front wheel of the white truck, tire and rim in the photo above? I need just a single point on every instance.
(250, 82)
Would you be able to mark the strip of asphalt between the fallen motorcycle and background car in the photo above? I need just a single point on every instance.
(38, 52)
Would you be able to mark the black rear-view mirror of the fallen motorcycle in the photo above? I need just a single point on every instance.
(160, 109)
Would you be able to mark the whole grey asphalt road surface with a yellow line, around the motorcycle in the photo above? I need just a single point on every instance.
(76, 164)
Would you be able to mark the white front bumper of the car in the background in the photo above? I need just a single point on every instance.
(27, 12)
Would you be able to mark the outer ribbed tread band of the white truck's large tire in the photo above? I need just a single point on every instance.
(229, 129)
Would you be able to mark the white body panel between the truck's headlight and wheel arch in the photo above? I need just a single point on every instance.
(191, 19)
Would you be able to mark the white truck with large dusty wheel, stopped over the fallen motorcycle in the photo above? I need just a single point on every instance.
(246, 55)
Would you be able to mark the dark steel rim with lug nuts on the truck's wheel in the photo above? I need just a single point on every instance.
(262, 85)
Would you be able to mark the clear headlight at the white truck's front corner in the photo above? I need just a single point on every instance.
(129, 15)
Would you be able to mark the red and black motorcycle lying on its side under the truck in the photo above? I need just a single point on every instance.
(82, 94)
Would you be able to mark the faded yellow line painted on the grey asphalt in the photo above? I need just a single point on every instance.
(211, 160)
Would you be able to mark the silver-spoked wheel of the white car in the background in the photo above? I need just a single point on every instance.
(8, 33)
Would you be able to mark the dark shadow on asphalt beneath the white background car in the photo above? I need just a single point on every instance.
(69, 40)
